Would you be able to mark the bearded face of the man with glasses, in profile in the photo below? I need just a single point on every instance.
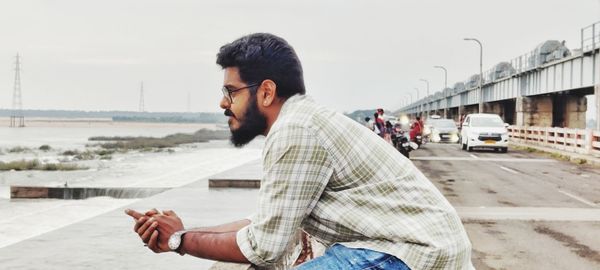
(245, 120)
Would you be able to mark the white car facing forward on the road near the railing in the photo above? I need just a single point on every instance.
(482, 130)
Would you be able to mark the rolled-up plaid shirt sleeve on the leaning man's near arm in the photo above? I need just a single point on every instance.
(296, 171)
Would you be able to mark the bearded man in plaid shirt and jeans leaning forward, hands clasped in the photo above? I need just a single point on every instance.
(323, 173)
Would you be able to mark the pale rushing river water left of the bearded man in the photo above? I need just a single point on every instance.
(28, 218)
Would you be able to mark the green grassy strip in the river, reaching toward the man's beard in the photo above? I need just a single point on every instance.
(147, 144)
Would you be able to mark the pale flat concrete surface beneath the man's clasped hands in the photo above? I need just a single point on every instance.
(108, 242)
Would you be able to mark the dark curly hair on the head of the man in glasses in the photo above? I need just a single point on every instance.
(264, 56)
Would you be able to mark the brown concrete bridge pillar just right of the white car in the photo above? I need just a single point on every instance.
(534, 111)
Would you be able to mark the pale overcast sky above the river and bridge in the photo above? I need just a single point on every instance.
(92, 55)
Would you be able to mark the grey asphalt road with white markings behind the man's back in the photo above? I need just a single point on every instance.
(521, 210)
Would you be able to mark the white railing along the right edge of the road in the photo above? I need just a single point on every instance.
(581, 141)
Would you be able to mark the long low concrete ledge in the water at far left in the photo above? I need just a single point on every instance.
(78, 193)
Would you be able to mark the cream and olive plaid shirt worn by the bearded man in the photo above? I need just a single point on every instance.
(341, 183)
